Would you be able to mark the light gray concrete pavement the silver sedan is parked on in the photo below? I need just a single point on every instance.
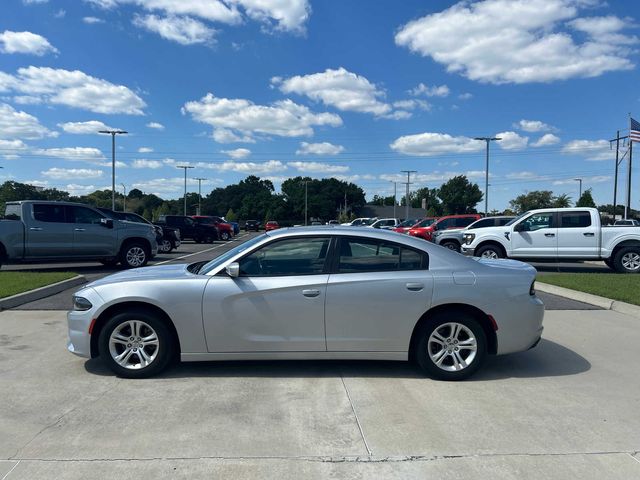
(567, 409)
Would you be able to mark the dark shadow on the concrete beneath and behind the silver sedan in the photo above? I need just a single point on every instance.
(548, 359)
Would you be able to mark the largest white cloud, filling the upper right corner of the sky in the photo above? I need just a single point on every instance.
(518, 41)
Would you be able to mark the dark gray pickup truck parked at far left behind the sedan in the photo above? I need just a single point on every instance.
(38, 231)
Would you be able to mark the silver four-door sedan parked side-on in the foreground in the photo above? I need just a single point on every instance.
(313, 293)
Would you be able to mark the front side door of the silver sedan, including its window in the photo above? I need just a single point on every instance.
(275, 305)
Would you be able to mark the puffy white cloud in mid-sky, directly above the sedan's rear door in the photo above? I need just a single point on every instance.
(339, 88)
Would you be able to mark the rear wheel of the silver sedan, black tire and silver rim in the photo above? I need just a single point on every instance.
(453, 330)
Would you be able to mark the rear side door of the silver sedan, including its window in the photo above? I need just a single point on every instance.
(379, 293)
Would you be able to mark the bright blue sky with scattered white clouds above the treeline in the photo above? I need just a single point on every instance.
(358, 90)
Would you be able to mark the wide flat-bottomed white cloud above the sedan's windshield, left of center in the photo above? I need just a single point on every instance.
(245, 119)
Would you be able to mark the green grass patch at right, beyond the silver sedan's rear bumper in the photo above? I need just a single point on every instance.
(621, 287)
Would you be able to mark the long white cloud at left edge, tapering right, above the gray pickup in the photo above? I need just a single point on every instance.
(72, 89)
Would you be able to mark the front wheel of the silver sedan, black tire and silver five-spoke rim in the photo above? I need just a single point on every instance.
(115, 340)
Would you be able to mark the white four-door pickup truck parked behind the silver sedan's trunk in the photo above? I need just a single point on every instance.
(558, 234)
